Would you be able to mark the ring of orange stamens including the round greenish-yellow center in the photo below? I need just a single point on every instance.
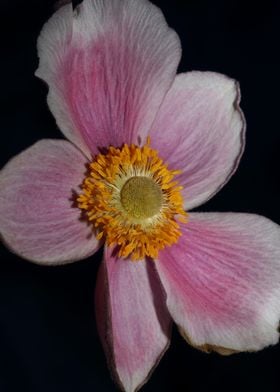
(132, 201)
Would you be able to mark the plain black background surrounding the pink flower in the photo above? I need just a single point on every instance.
(48, 337)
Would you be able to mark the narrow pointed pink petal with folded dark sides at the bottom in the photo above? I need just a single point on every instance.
(132, 318)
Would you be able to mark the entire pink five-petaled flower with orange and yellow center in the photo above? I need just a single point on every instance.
(144, 146)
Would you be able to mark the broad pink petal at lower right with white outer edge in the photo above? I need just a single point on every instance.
(222, 281)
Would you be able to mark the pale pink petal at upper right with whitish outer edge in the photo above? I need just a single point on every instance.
(200, 130)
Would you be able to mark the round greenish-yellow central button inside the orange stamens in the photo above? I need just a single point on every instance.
(141, 197)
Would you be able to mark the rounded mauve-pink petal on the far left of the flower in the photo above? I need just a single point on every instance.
(38, 219)
